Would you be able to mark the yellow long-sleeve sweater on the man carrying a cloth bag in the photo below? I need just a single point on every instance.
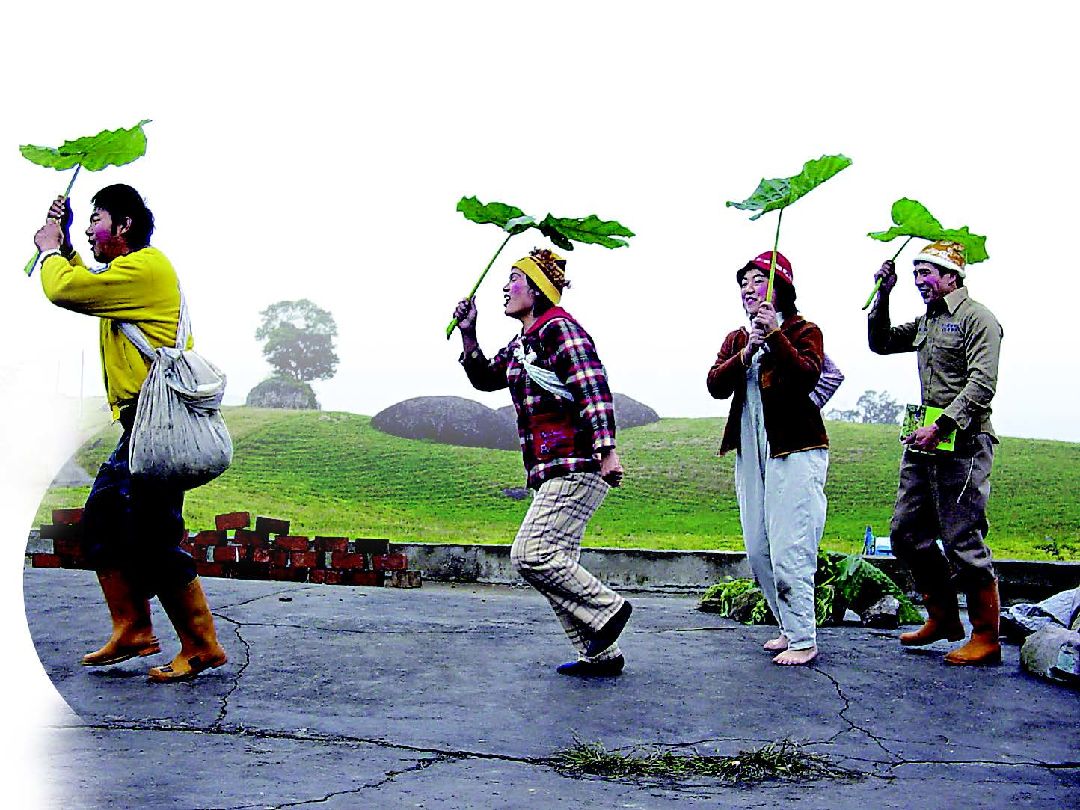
(141, 288)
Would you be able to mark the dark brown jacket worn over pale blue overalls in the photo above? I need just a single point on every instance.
(790, 371)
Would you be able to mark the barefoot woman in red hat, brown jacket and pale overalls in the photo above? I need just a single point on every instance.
(777, 430)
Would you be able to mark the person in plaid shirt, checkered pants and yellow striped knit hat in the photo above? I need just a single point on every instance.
(566, 428)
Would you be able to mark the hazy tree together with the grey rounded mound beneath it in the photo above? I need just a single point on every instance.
(300, 345)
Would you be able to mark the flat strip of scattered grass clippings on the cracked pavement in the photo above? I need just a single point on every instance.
(785, 761)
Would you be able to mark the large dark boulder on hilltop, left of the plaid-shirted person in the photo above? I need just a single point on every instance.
(449, 421)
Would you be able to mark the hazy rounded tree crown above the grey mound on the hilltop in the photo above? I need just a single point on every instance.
(300, 341)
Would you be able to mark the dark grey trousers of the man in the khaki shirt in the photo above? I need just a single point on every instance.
(943, 496)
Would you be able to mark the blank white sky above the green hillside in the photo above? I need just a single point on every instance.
(318, 151)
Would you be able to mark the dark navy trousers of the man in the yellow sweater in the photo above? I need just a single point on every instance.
(136, 528)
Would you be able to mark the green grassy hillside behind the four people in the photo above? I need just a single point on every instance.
(332, 474)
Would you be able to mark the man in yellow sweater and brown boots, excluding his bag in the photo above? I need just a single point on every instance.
(131, 530)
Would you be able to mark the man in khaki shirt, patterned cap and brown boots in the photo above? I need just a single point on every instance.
(943, 494)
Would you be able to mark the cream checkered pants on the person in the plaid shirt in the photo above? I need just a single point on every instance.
(547, 550)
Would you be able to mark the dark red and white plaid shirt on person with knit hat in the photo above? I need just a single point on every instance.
(558, 436)
